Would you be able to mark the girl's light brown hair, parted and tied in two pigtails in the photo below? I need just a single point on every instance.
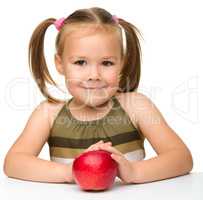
(130, 74)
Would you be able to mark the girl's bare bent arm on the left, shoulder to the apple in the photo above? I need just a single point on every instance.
(21, 160)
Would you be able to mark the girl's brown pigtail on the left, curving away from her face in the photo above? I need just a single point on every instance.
(37, 62)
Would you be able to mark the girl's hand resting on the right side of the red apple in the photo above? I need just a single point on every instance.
(125, 167)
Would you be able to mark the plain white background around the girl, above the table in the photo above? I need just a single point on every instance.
(171, 68)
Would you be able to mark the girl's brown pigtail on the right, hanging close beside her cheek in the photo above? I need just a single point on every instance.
(130, 75)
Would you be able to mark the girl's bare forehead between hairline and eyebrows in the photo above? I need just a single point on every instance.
(92, 38)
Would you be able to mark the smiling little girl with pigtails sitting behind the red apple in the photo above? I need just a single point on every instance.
(99, 56)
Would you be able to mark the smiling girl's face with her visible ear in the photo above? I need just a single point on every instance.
(91, 63)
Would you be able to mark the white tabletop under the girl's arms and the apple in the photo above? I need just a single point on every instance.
(188, 187)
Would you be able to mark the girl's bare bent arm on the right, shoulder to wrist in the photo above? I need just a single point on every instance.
(173, 157)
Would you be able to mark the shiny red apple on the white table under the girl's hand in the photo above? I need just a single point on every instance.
(95, 170)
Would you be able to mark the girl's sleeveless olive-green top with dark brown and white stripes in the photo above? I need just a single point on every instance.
(69, 137)
